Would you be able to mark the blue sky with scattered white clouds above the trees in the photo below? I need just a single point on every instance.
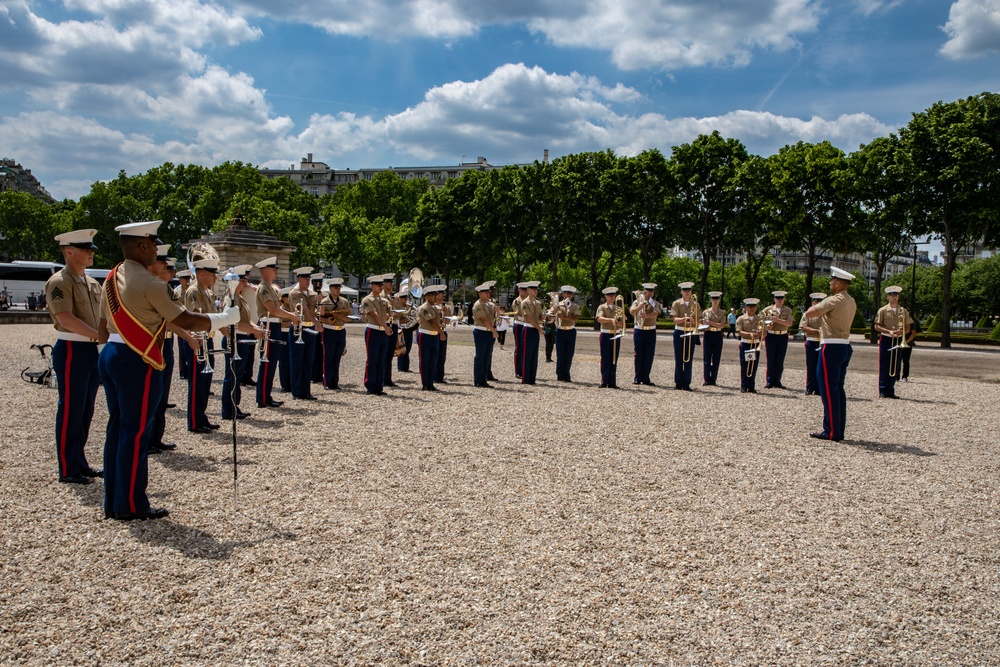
(92, 87)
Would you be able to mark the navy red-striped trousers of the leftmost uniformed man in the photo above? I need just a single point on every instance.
(75, 365)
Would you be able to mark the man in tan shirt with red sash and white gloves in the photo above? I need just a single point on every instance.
(135, 306)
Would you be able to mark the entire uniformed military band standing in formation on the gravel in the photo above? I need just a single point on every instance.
(122, 335)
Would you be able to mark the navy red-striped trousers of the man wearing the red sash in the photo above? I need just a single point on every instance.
(132, 388)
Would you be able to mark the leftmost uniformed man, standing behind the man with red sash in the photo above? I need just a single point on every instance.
(74, 302)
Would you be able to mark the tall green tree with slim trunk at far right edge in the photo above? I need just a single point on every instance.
(954, 155)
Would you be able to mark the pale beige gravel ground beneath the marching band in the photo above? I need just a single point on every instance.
(634, 527)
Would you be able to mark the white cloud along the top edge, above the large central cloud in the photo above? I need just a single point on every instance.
(667, 34)
